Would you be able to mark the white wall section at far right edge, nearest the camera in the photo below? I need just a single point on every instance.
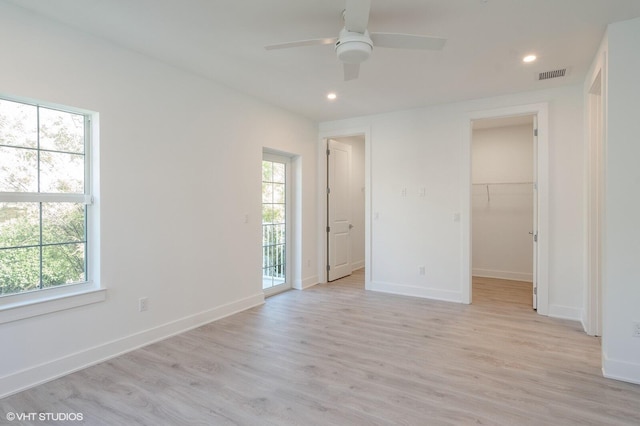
(621, 259)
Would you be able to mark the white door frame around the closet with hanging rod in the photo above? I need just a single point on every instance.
(542, 168)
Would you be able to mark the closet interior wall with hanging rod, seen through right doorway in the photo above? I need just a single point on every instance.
(502, 213)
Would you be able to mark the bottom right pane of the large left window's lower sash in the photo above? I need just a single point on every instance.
(63, 264)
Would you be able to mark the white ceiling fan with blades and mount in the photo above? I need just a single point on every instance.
(355, 43)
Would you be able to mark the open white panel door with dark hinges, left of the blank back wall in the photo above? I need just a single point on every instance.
(338, 210)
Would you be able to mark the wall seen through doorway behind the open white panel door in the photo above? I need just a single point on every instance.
(357, 192)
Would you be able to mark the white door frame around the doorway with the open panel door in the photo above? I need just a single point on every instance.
(324, 136)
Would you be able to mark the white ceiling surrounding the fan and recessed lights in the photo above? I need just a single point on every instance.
(223, 40)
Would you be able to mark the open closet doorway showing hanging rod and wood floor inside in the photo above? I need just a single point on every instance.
(504, 207)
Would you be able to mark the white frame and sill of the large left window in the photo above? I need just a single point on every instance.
(14, 307)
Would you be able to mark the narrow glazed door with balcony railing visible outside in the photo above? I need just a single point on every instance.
(274, 223)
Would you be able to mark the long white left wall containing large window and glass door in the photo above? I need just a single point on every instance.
(180, 167)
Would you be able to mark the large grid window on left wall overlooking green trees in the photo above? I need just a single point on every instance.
(45, 197)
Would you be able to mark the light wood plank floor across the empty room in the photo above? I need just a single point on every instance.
(337, 355)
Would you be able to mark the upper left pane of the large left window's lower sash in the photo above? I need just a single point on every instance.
(19, 224)
